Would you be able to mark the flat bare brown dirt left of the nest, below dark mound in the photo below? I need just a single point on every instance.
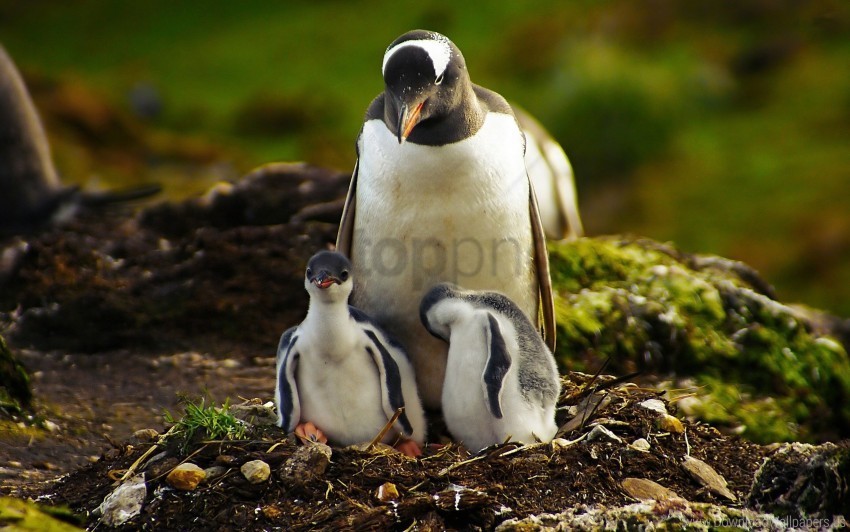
(94, 401)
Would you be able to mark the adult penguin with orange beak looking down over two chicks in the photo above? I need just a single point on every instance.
(440, 193)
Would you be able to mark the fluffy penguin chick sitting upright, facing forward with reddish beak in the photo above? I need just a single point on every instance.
(339, 376)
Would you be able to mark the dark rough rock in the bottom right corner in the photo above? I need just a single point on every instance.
(801, 480)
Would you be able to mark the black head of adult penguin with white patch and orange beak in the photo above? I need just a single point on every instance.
(425, 79)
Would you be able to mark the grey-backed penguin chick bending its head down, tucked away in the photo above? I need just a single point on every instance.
(493, 343)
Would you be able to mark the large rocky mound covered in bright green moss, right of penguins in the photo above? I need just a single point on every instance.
(755, 364)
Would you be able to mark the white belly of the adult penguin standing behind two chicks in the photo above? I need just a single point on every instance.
(427, 214)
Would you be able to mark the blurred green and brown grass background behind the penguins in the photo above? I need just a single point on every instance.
(724, 128)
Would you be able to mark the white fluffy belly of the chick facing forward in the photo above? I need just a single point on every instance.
(341, 397)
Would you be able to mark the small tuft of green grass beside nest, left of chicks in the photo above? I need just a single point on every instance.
(203, 422)
